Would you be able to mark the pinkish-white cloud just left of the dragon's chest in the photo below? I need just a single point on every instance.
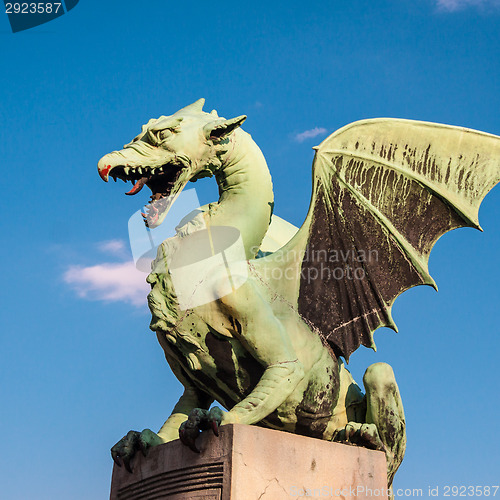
(109, 282)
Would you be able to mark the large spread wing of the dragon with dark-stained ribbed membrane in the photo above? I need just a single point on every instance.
(384, 191)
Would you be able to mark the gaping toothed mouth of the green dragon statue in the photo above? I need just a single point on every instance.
(163, 182)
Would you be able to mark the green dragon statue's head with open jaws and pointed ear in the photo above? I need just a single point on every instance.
(169, 152)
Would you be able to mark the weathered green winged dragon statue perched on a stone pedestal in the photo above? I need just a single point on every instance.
(269, 351)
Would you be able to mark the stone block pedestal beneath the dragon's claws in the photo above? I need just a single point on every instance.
(251, 463)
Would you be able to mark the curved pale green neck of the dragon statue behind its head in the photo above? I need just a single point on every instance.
(245, 192)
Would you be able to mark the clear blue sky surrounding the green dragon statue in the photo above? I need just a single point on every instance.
(79, 366)
